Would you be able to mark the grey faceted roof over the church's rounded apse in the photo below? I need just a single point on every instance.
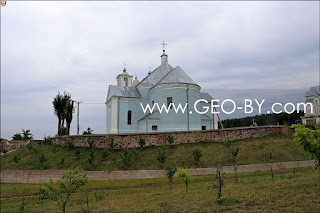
(177, 75)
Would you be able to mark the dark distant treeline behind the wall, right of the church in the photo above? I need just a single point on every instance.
(264, 119)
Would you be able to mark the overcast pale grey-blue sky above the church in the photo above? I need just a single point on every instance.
(80, 47)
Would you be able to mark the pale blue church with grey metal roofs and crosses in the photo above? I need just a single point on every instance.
(164, 85)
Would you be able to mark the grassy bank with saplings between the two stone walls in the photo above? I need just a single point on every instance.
(252, 151)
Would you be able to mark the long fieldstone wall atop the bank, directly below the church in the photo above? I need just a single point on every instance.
(131, 140)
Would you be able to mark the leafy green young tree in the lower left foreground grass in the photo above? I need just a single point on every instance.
(61, 192)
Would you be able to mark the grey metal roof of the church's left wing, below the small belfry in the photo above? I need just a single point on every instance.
(123, 91)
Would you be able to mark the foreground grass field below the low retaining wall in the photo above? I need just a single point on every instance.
(255, 192)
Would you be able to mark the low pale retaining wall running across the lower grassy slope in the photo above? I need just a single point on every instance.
(39, 176)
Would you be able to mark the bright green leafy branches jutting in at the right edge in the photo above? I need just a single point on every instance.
(309, 139)
